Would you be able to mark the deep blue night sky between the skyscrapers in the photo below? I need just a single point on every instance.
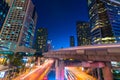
(60, 17)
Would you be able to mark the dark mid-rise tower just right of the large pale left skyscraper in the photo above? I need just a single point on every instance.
(41, 40)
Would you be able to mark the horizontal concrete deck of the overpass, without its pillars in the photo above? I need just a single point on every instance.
(110, 52)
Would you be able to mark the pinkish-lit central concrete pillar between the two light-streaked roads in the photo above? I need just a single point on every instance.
(59, 65)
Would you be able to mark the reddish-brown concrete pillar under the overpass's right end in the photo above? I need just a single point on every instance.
(107, 74)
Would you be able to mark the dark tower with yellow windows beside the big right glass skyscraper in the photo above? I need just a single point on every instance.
(83, 33)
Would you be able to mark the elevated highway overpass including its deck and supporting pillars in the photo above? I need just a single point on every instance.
(95, 56)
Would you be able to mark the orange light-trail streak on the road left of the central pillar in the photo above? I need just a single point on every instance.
(39, 71)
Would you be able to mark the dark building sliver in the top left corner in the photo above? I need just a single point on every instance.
(3, 12)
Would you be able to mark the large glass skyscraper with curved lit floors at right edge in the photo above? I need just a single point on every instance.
(104, 21)
